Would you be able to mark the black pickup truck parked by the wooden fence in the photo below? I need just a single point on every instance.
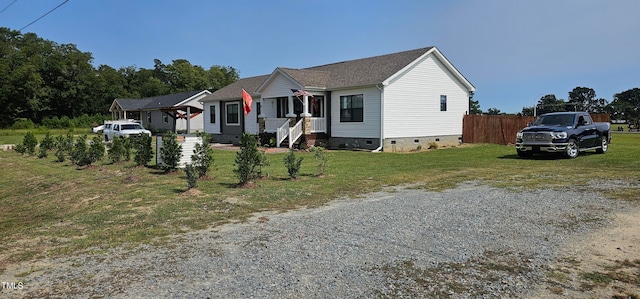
(568, 133)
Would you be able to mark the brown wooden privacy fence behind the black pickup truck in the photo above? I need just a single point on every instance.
(501, 129)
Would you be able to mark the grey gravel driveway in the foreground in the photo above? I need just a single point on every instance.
(469, 242)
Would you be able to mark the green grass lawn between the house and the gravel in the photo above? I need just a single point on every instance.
(54, 208)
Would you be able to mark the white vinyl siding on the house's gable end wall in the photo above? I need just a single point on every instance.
(412, 101)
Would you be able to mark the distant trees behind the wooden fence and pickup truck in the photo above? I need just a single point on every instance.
(625, 105)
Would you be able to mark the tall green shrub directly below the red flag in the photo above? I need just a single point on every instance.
(247, 159)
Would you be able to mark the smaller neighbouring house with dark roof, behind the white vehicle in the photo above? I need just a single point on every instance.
(168, 112)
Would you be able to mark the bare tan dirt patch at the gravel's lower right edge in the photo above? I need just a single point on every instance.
(605, 264)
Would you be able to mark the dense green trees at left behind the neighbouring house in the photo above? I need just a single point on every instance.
(41, 79)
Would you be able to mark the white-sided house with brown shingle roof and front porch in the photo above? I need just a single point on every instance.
(397, 102)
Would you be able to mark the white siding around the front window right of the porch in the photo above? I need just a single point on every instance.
(369, 127)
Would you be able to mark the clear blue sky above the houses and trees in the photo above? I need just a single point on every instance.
(513, 51)
